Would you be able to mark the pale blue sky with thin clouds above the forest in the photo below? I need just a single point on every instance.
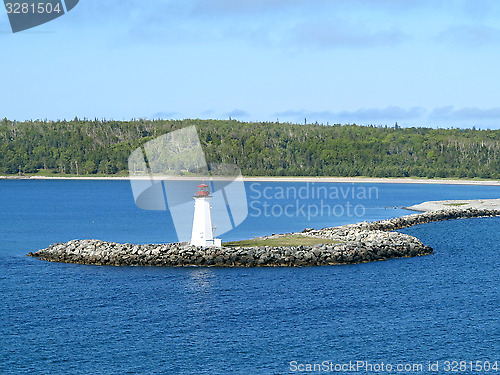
(420, 63)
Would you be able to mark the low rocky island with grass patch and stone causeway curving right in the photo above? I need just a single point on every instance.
(347, 244)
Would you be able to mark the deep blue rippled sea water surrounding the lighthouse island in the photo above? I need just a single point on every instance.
(76, 319)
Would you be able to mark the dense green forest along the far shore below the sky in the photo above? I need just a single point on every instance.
(87, 147)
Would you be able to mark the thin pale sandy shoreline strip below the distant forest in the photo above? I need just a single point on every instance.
(373, 180)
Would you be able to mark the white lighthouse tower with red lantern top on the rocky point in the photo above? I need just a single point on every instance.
(202, 234)
